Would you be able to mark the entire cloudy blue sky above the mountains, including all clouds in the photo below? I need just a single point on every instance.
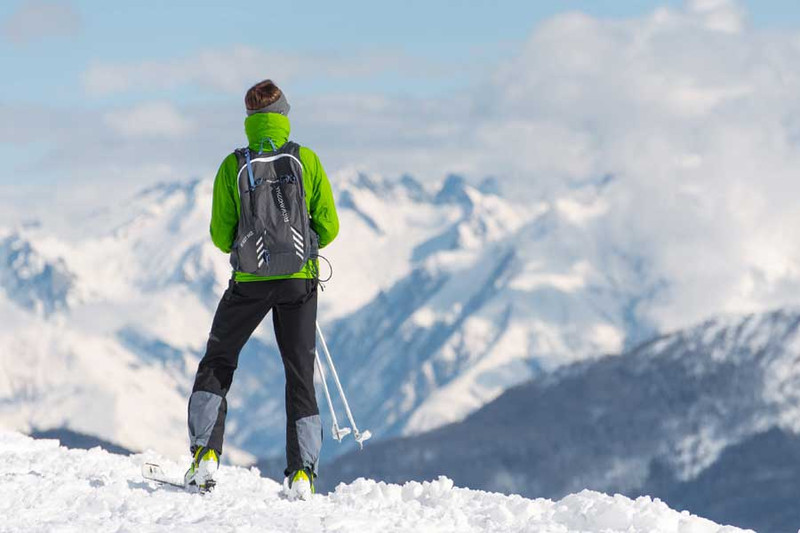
(691, 106)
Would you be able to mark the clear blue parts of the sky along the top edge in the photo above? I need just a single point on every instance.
(469, 35)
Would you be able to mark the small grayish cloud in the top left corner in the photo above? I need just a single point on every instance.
(38, 19)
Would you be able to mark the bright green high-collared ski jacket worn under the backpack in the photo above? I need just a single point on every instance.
(261, 128)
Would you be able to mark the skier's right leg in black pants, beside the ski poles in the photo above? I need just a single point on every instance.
(294, 318)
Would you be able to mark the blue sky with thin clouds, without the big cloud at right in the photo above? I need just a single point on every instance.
(150, 73)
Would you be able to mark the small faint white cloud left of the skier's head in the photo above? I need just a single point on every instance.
(151, 119)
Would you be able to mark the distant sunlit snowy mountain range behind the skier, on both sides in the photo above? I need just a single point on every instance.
(443, 296)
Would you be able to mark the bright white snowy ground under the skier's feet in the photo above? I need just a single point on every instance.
(48, 488)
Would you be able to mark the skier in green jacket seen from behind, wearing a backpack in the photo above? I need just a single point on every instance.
(238, 212)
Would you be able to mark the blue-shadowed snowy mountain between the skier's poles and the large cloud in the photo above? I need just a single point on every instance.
(505, 292)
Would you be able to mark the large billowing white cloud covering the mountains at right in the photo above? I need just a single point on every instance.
(699, 123)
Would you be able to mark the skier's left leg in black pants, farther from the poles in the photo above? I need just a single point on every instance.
(240, 311)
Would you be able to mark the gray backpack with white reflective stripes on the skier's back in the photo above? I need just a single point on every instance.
(274, 237)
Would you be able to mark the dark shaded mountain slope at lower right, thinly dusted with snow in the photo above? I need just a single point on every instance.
(656, 420)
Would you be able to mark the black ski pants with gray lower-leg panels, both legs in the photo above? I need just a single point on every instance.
(244, 305)
